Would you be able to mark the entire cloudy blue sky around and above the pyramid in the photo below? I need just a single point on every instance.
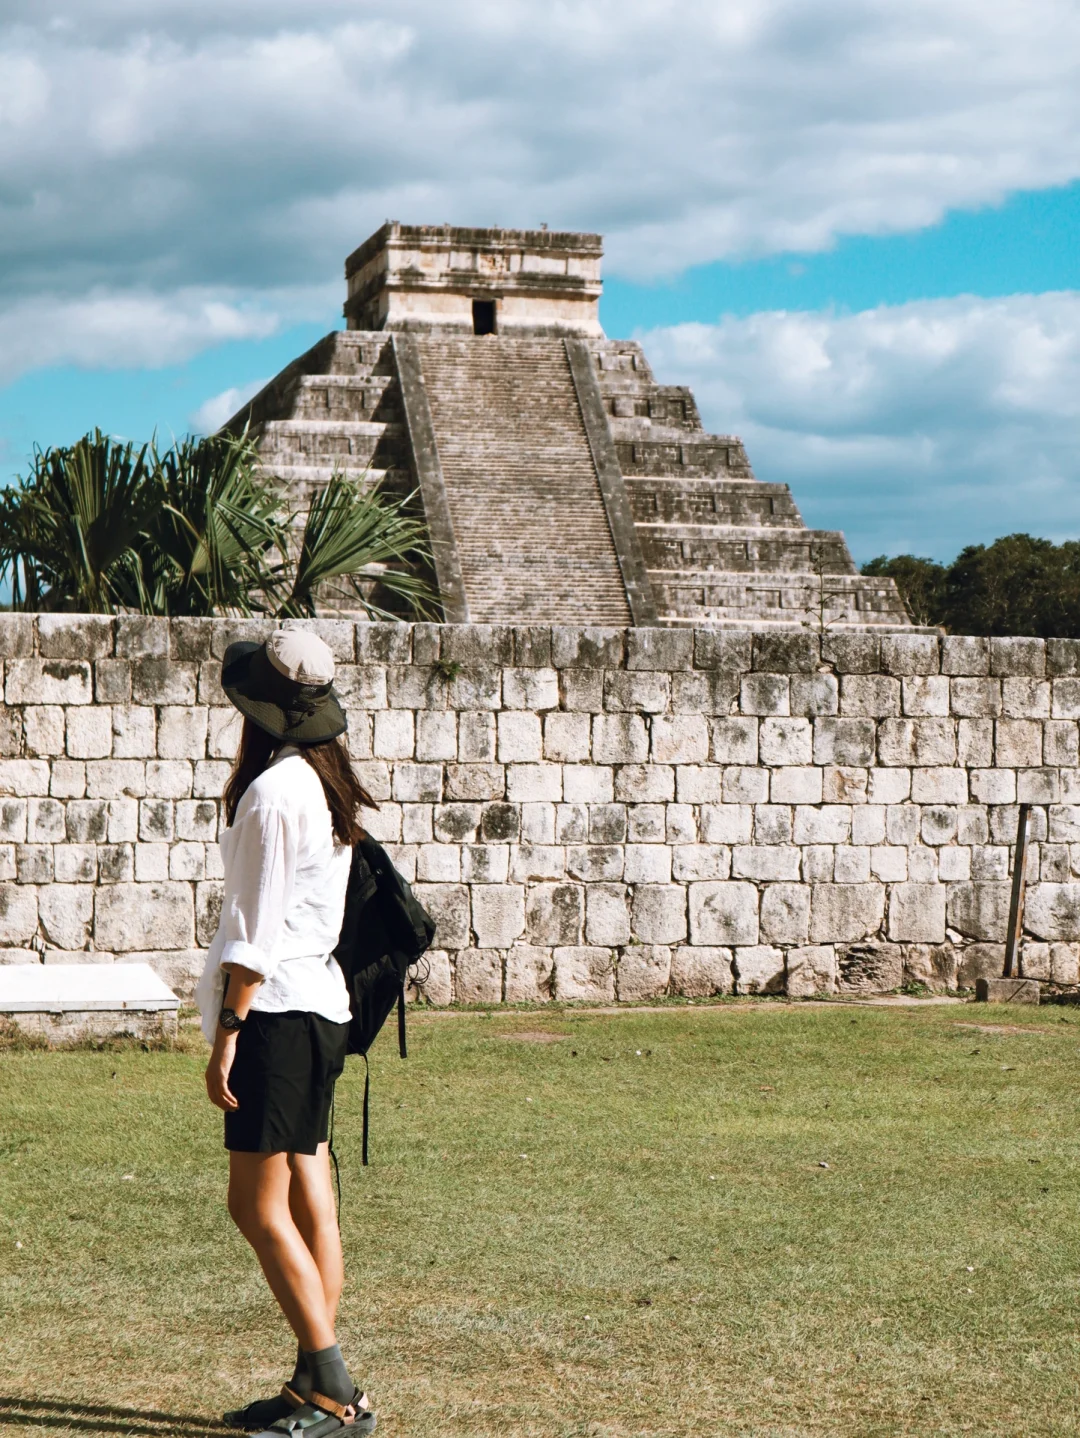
(854, 226)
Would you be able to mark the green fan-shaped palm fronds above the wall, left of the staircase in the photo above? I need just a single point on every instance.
(101, 527)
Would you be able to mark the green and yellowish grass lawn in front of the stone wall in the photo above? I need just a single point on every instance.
(769, 1220)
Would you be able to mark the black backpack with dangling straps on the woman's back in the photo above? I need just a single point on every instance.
(385, 933)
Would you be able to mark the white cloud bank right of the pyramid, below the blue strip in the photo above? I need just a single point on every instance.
(914, 428)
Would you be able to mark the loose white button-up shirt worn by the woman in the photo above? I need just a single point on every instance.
(284, 898)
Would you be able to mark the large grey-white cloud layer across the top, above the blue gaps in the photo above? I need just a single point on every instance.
(196, 145)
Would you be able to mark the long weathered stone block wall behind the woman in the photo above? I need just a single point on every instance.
(590, 815)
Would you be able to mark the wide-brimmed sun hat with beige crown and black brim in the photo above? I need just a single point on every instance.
(285, 687)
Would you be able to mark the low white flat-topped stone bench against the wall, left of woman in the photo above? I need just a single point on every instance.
(87, 1000)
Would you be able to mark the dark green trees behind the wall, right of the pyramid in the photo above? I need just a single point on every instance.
(1016, 586)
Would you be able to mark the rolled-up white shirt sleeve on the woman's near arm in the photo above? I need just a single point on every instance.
(260, 889)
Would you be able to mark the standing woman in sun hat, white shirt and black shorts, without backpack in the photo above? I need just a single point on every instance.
(277, 1010)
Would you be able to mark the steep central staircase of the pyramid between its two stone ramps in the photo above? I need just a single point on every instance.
(524, 498)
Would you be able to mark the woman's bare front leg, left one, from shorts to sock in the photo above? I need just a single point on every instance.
(260, 1204)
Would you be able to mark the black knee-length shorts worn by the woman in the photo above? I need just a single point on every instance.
(283, 1079)
